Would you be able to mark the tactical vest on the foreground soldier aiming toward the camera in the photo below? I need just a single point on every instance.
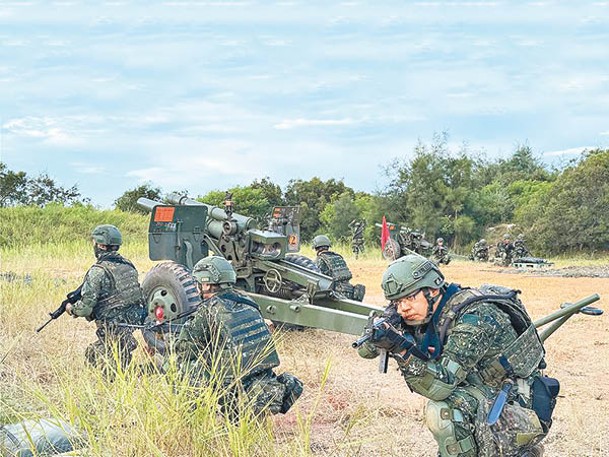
(524, 355)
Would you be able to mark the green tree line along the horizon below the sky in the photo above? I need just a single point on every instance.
(458, 195)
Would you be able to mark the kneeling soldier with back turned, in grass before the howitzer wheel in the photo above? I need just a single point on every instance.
(228, 343)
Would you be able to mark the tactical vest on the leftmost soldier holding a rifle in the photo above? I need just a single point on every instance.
(124, 291)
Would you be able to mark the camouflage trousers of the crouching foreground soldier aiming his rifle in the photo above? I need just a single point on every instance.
(458, 424)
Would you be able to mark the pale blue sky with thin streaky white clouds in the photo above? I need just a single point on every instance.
(208, 95)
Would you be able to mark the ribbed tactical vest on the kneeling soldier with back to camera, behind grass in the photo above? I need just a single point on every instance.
(244, 338)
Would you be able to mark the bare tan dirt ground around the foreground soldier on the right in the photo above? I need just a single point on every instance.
(362, 412)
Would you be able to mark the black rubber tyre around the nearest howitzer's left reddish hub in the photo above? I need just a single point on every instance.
(179, 281)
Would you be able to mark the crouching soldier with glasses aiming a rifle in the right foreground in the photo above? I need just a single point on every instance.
(459, 348)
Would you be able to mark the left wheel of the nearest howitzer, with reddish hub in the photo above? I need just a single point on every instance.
(170, 286)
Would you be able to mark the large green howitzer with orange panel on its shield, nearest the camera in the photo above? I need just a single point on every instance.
(289, 288)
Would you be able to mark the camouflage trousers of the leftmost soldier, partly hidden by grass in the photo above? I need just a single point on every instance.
(113, 348)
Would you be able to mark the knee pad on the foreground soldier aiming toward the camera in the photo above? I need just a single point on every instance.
(443, 421)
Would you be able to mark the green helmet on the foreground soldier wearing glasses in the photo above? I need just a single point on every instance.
(409, 274)
